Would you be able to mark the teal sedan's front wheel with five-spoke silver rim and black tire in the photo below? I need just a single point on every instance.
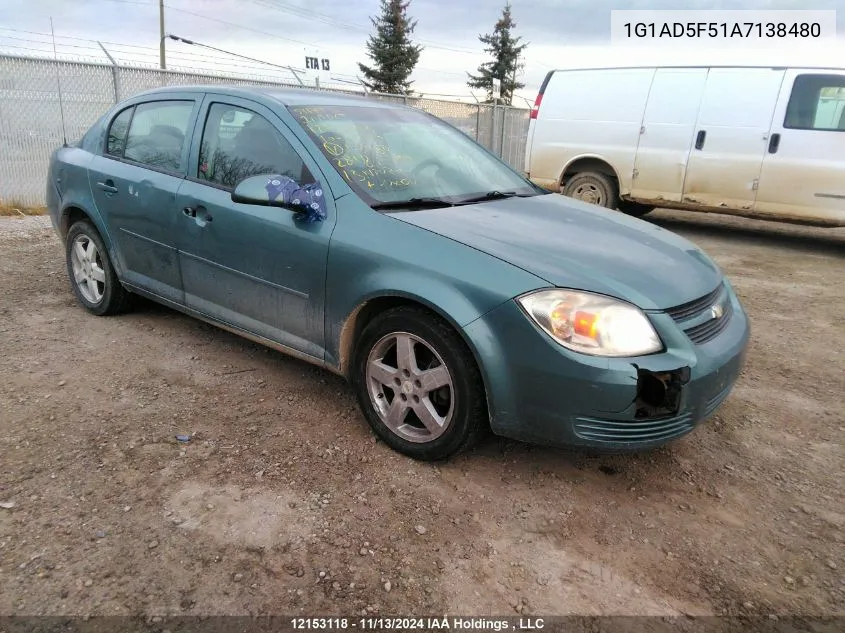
(418, 385)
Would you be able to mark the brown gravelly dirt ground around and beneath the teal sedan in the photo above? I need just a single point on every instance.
(283, 503)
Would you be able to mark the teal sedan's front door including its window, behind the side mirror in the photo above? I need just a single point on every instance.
(254, 267)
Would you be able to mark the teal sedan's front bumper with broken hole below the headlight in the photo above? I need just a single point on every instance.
(540, 392)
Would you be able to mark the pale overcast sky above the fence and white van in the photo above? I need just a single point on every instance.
(561, 34)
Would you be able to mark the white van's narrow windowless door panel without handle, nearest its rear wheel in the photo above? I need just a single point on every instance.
(667, 133)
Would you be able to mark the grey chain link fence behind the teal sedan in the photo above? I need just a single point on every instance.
(31, 116)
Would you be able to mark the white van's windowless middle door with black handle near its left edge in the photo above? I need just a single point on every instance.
(730, 139)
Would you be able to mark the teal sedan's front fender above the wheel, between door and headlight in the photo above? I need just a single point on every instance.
(374, 256)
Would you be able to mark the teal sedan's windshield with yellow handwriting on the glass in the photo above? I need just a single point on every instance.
(394, 157)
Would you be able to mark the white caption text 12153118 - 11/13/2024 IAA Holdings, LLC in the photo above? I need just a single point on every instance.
(418, 624)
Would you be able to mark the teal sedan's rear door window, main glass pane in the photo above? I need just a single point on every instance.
(157, 134)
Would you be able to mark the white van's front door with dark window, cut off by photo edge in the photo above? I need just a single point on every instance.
(803, 175)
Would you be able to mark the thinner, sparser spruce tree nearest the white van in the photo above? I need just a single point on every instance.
(505, 50)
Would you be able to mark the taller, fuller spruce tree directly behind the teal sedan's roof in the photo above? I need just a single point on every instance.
(394, 55)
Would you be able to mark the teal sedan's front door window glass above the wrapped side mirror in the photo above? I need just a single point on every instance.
(238, 143)
